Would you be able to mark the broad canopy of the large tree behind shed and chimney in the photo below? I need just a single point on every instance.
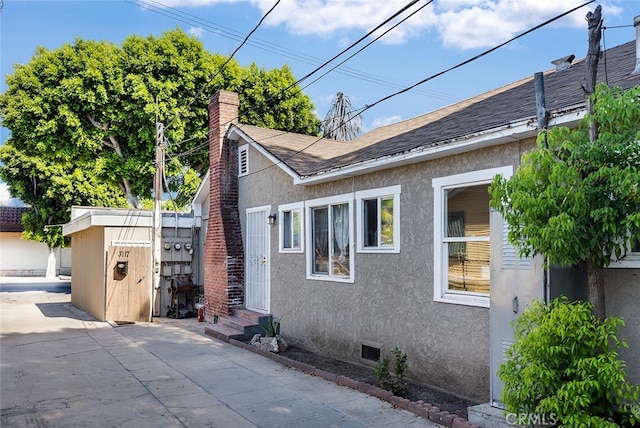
(82, 120)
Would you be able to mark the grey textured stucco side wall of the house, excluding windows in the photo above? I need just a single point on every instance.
(391, 301)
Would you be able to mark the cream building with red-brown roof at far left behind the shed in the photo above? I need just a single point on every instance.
(21, 257)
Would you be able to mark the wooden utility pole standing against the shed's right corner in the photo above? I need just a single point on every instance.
(157, 216)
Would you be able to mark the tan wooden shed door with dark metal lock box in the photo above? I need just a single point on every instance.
(129, 278)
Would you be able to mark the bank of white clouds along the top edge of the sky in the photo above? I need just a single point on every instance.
(462, 24)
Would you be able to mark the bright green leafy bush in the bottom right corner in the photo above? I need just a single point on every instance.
(564, 363)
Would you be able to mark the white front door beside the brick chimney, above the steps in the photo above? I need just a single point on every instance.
(257, 260)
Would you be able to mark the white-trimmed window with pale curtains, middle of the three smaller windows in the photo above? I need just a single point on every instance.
(329, 238)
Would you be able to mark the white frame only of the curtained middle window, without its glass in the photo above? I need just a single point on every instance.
(328, 202)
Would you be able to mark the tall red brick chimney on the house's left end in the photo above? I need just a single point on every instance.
(224, 252)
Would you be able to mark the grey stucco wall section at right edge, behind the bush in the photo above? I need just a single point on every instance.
(622, 294)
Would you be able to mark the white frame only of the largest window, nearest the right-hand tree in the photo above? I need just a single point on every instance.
(441, 292)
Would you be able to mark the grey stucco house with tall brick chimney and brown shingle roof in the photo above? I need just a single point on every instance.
(348, 241)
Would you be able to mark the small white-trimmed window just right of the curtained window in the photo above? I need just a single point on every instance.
(378, 220)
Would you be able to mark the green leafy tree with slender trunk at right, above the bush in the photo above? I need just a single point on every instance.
(573, 200)
